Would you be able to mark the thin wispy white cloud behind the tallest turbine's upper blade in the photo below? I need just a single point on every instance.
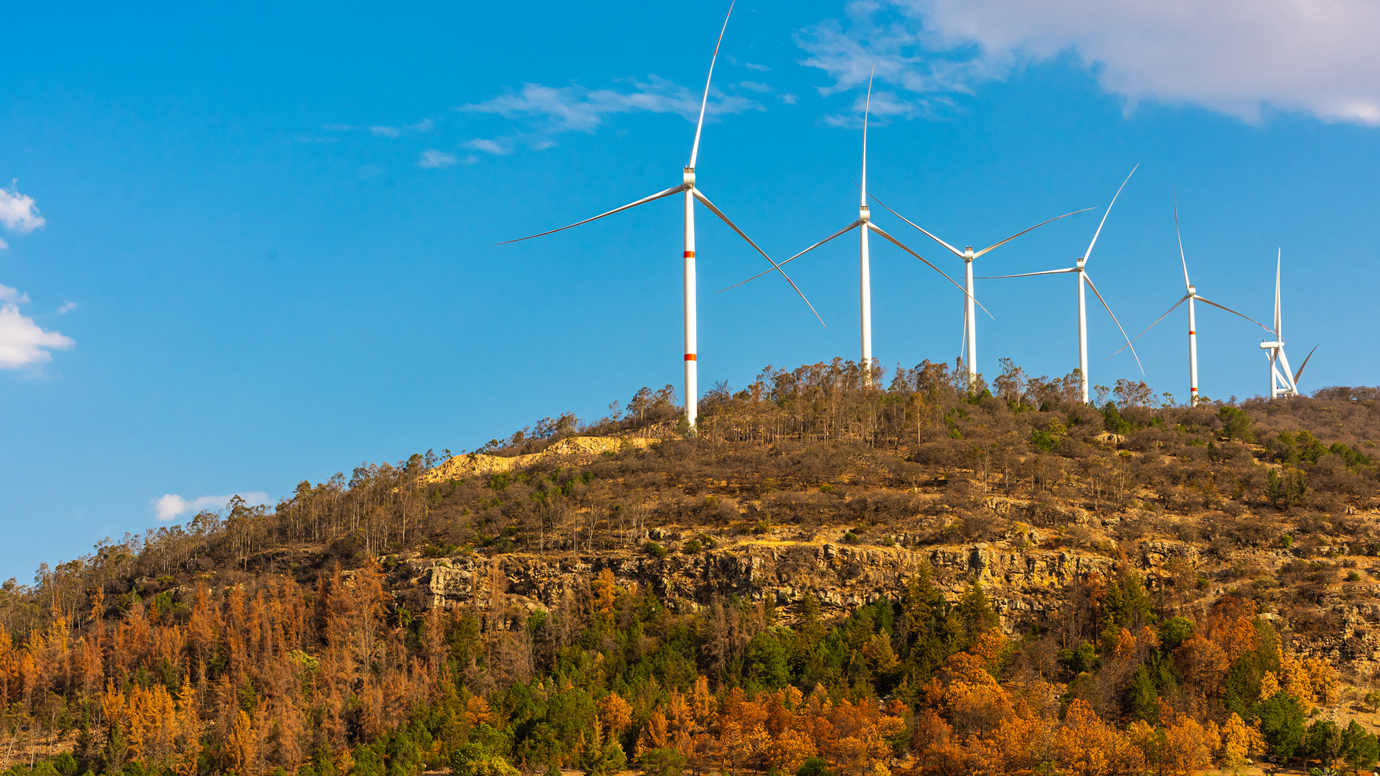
(576, 108)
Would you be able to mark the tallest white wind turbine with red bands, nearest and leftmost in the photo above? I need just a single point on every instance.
(688, 187)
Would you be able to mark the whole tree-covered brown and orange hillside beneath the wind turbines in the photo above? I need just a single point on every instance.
(825, 579)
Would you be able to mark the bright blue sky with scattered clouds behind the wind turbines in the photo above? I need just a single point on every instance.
(253, 245)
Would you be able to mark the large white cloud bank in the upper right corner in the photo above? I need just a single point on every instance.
(1314, 57)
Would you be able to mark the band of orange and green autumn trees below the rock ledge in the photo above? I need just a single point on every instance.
(340, 680)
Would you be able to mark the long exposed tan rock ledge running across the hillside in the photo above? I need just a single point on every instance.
(1023, 585)
